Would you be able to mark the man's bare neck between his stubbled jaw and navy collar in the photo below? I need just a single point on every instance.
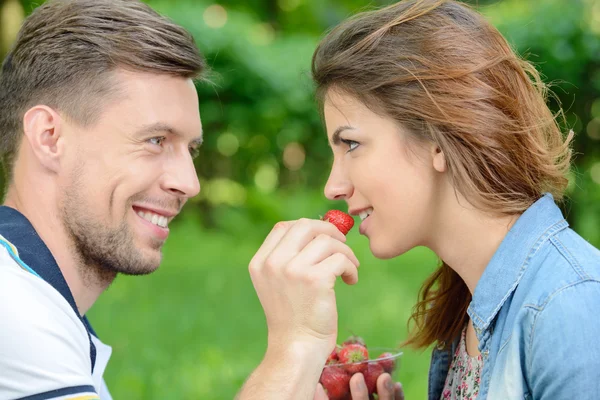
(85, 282)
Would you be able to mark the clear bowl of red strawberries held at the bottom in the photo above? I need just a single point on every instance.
(351, 357)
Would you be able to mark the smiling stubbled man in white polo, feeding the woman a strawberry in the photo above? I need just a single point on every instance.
(99, 124)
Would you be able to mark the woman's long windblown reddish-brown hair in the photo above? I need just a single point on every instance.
(441, 71)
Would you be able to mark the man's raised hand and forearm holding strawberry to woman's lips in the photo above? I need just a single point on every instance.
(294, 274)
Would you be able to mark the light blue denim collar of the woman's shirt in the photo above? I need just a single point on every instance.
(504, 271)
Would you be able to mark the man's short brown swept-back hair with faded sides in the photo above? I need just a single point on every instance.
(67, 51)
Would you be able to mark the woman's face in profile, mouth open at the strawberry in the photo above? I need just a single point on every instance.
(390, 185)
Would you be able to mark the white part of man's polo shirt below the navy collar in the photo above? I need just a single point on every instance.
(44, 345)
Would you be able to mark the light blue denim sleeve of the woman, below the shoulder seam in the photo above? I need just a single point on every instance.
(560, 342)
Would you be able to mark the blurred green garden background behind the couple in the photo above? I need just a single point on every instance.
(195, 329)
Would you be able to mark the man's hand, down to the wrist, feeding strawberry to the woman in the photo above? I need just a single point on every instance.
(294, 274)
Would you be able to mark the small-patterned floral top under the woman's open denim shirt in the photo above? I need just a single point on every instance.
(464, 376)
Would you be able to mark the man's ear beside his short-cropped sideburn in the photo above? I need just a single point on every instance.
(43, 129)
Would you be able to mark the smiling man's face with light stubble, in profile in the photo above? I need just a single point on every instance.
(128, 175)
